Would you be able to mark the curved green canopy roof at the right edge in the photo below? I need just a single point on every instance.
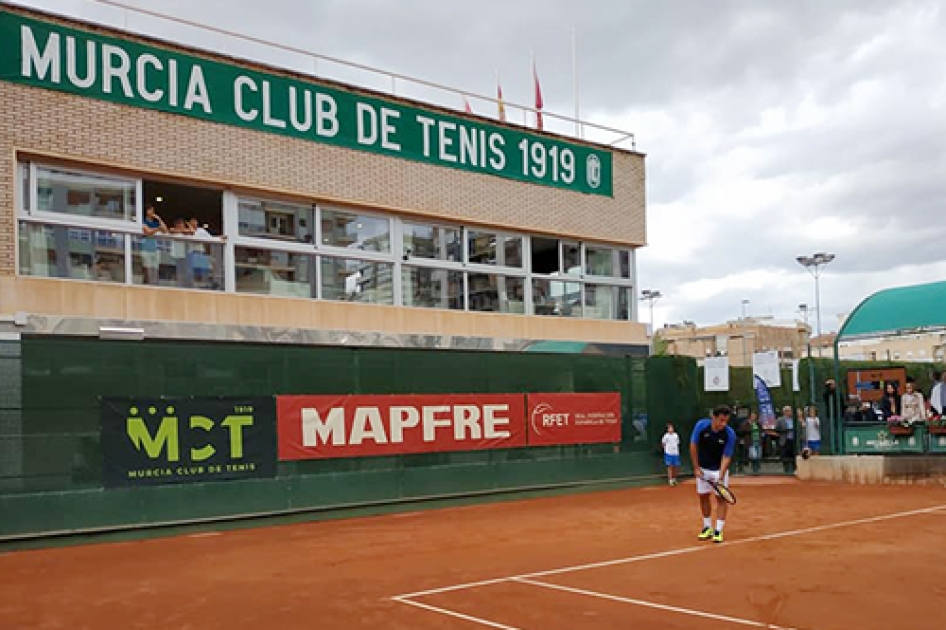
(899, 310)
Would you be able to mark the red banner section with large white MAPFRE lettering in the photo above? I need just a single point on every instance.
(316, 427)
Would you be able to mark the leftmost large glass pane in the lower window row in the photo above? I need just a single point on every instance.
(66, 252)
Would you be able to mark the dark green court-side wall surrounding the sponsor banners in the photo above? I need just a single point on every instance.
(51, 461)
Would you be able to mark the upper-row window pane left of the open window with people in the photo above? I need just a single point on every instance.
(79, 194)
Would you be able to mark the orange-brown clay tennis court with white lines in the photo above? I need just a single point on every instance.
(809, 556)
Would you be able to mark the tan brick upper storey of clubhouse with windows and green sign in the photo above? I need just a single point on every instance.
(333, 215)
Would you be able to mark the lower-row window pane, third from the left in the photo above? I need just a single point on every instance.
(273, 272)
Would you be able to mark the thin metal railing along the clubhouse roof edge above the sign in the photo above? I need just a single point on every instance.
(394, 83)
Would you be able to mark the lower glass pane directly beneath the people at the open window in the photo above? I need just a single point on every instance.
(177, 262)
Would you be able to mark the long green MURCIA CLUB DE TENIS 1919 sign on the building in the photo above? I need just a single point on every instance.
(44, 54)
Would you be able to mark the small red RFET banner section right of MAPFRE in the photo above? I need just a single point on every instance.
(574, 418)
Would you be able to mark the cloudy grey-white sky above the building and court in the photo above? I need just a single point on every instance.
(772, 129)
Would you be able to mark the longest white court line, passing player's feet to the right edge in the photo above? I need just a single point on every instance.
(673, 552)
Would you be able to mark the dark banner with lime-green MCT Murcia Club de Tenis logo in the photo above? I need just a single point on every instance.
(178, 440)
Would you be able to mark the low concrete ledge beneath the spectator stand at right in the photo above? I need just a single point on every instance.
(877, 469)
